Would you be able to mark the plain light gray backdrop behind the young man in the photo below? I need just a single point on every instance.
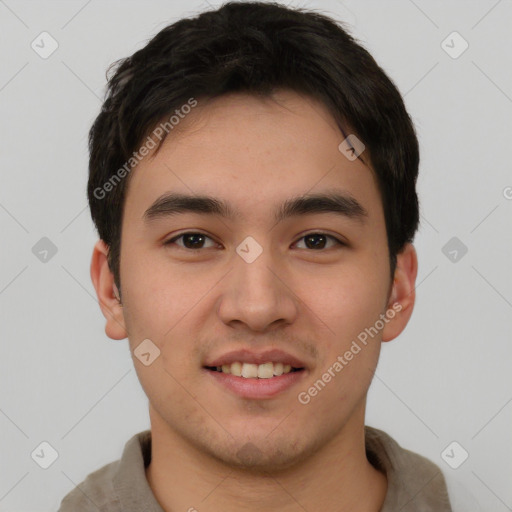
(446, 378)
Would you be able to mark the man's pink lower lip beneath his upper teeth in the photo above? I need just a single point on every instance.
(257, 388)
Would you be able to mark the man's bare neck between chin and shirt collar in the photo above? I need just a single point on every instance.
(336, 477)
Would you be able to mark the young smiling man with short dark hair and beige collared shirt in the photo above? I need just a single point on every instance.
(252, 180)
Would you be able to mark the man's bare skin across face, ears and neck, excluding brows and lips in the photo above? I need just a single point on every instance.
(196, 306)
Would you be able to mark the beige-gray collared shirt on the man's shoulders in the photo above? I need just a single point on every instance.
(415, 484)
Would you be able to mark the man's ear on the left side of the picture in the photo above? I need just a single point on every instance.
(106, 290)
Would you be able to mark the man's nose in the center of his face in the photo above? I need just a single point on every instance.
(258, 294)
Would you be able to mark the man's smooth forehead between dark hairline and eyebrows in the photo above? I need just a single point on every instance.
(252, 152)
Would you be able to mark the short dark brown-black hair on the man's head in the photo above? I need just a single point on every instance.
(257, 48)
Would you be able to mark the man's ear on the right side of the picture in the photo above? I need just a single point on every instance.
(402, 295)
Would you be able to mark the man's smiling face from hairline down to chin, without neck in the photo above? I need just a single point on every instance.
(300, 288)
